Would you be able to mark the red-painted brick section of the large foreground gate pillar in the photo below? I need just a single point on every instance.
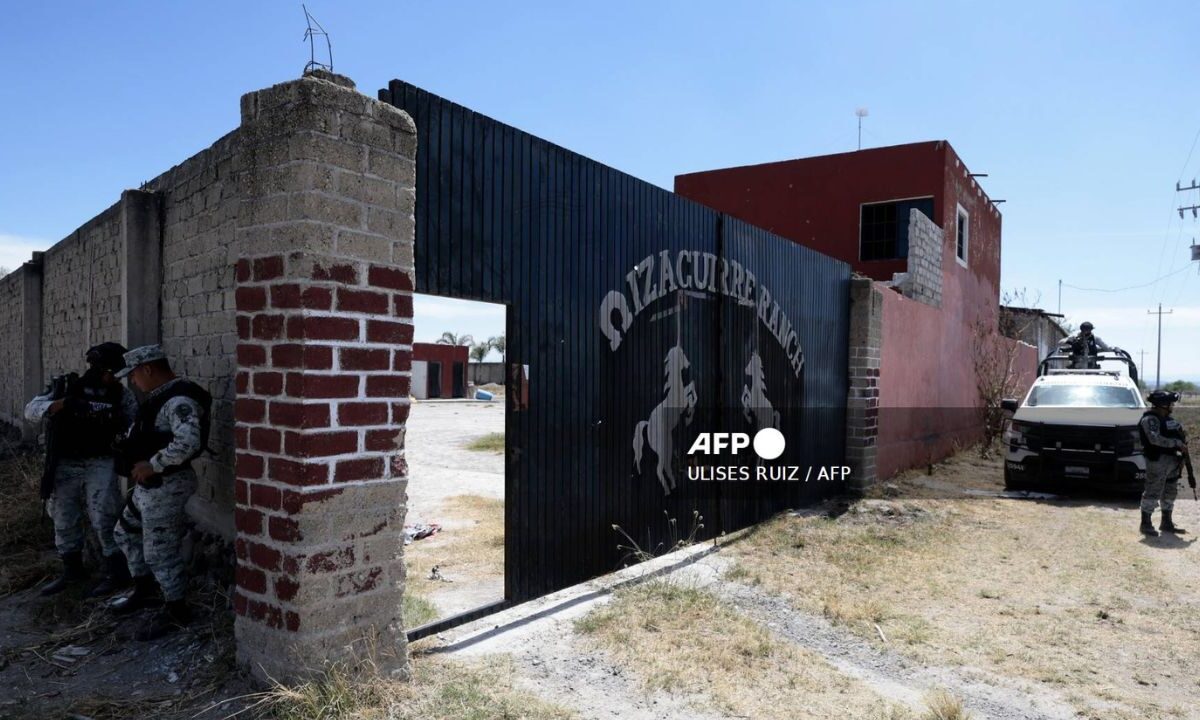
(320, 409)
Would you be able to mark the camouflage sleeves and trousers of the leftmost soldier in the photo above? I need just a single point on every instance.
(85, 487)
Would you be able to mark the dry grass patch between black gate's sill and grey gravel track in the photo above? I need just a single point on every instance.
(682, 640)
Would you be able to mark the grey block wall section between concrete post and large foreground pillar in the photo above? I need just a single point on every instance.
(200, 213)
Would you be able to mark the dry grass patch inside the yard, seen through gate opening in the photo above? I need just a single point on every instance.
(473, 550)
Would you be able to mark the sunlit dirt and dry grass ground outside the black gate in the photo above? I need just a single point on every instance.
(940, 597)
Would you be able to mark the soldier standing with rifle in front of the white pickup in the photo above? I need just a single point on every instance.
(1165, 443)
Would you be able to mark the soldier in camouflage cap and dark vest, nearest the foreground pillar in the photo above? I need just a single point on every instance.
(170, 431)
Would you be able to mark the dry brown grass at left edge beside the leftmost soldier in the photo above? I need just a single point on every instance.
(25, 533)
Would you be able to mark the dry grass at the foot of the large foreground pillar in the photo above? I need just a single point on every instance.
(440, 688)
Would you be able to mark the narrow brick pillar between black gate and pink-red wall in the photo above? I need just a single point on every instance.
(863, 401)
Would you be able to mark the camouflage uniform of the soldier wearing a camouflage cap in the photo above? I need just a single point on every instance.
(152, 529)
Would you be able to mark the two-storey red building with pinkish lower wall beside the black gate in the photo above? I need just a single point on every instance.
(857, 207)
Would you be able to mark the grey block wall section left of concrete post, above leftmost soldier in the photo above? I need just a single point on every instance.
(82, 293)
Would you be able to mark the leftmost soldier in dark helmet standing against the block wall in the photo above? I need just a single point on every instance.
(85, 416)
